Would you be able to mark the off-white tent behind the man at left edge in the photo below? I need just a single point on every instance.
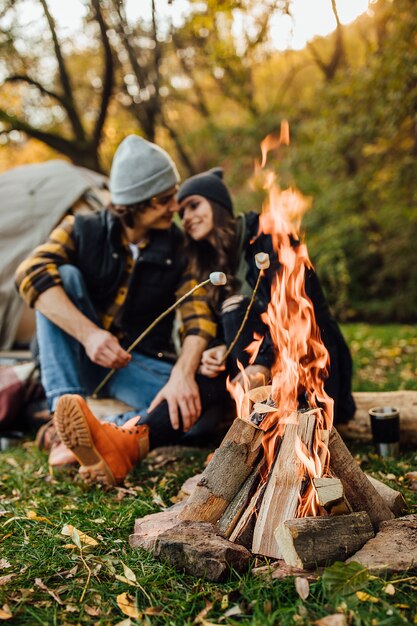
(33, 199)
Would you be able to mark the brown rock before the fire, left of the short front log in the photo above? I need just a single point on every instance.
(198, 549)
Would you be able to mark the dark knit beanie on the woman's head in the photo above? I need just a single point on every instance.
(210, 185)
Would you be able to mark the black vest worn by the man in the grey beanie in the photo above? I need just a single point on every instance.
(100, 256)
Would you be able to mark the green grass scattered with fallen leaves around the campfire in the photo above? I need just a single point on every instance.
(43, 580)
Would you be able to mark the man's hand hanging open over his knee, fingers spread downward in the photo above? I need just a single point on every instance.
(181, 393)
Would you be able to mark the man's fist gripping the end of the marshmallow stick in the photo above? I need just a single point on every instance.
(104, 349)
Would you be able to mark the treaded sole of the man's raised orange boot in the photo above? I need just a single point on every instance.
(73, 428)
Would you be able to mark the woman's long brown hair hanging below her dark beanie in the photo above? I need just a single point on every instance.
(204, 257)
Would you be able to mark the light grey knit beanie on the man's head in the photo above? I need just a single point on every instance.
(140, 170)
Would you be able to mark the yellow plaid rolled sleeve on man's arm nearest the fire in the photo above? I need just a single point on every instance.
(196, 314)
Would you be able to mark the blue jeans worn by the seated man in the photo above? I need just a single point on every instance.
(66, 368)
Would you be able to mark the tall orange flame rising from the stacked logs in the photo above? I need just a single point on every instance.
(302, 359)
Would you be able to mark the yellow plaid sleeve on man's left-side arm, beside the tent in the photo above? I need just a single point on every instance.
(40, 271)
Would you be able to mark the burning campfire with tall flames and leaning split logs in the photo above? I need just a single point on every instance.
(282, 483)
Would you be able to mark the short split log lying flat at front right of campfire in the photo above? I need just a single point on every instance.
(310, 541)
